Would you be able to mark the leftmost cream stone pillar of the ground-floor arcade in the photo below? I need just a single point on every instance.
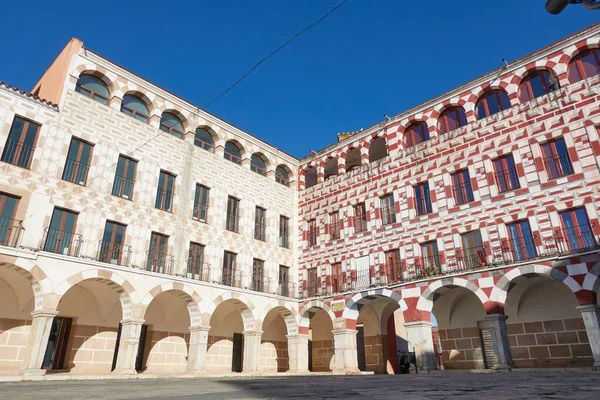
(38, 342)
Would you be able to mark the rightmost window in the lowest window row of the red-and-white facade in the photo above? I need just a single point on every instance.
(577, 233)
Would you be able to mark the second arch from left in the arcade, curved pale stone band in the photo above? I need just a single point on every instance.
(125, 290)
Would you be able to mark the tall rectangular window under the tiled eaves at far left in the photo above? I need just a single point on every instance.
(20, 143)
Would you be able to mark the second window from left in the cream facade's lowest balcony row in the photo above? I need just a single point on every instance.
(60, 235)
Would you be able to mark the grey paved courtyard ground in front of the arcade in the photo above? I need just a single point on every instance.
(481, 386)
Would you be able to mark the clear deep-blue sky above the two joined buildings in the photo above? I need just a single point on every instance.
(366, 59)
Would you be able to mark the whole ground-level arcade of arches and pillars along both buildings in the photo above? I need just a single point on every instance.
(66, 314)
